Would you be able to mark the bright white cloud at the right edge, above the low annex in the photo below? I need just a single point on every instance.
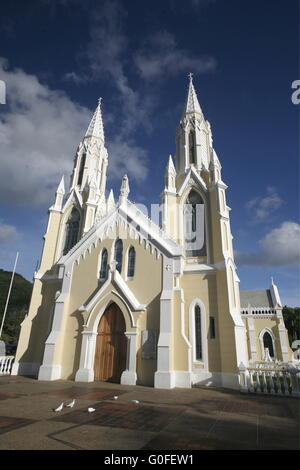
(280, 247)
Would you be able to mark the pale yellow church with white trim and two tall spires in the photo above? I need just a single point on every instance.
(120, 297)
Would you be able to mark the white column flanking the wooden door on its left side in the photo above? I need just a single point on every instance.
(85, 372)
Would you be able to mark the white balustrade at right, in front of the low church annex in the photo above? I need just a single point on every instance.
(270, 378)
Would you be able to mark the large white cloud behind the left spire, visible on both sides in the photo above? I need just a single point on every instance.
(39, 135)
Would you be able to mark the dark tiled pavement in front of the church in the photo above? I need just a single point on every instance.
(178, 419)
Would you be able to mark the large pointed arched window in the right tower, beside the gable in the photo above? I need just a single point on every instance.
(194, 225)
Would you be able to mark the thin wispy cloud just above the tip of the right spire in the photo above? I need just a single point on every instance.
(160, 57)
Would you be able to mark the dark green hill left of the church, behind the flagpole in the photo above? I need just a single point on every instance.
(18, 304)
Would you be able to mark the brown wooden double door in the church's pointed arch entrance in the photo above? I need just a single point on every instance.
(111, 346)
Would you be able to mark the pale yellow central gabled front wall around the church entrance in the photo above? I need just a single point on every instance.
(145, 285)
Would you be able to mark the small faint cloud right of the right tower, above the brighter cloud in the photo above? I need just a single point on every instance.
(261, 208)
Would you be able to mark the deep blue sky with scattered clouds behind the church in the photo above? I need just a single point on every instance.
(58, 57)
